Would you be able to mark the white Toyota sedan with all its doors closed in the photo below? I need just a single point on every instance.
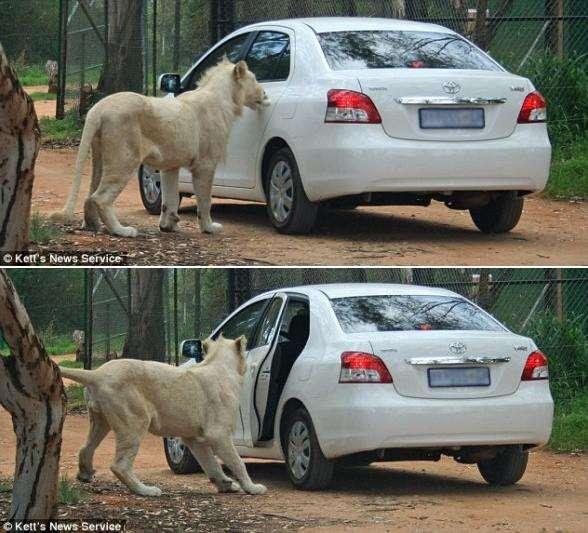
(368, 111)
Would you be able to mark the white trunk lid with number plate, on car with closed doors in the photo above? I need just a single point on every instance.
(401, 94)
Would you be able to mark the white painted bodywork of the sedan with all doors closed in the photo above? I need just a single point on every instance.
(337, 159)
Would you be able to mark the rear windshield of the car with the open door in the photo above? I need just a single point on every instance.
(410, 313)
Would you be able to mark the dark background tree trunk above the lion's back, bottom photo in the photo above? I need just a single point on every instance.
(146, 336)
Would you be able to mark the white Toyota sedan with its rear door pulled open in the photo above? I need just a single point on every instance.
(356, 373)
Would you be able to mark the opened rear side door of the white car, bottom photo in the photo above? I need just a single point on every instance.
(263, 345)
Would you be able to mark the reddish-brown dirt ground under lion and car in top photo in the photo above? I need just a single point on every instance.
(550, 232)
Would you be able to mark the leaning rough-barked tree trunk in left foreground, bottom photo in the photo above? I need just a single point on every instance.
(31, 390)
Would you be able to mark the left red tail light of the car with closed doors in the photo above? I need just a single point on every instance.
(351, 107)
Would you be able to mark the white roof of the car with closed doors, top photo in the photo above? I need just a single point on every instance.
(328, 24)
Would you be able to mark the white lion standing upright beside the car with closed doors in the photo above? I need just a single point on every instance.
(127, 129)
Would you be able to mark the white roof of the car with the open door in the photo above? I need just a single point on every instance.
(341, 290)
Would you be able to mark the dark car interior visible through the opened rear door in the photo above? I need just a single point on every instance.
(292, 338)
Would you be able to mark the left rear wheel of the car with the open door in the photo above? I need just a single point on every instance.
(307, 467)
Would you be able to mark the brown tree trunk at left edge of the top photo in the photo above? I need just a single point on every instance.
(19, 144)
